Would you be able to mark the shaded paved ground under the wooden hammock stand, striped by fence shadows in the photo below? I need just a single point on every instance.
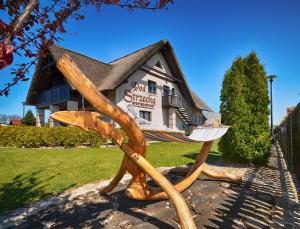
(267, 199)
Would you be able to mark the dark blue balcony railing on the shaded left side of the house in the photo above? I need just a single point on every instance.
(54, 95)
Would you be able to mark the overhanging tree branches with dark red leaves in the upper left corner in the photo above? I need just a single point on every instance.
(33, 26)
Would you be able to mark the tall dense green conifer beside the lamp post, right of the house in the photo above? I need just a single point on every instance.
(244, 107)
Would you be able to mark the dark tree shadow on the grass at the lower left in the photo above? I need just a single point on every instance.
(23, 189)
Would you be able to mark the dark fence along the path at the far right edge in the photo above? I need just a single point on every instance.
(289, 139)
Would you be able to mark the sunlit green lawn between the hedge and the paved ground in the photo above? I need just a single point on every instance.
(27, 175)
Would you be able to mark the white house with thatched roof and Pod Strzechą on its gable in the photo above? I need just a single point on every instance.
(148, 84)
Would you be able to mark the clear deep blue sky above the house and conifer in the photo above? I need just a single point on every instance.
(206, 36)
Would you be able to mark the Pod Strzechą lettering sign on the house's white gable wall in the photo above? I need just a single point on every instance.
(138, 97)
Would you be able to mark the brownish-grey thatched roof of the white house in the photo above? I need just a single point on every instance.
(107, 76)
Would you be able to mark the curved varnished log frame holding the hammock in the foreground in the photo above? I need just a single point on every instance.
(135, 149)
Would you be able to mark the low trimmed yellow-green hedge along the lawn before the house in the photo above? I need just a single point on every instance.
(31, 136)
